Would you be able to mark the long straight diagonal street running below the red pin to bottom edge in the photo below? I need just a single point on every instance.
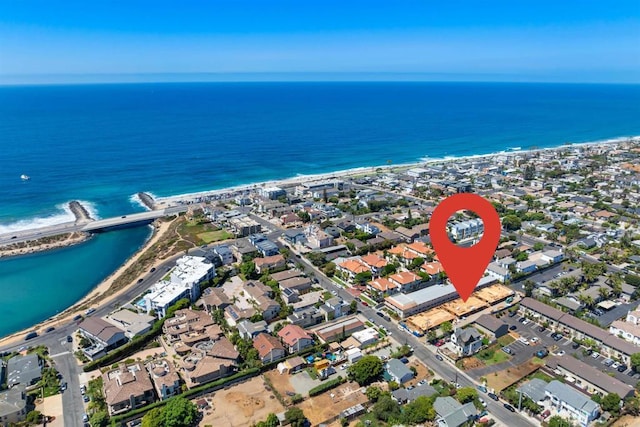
(444, 369)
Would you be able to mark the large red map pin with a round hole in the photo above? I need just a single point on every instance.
(465, 266)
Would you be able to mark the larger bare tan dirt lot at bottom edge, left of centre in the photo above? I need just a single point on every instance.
(241, 405)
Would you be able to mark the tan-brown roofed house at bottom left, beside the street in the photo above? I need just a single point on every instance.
(127, 387)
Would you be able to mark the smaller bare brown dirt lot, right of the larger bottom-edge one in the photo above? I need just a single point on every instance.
(323, 407)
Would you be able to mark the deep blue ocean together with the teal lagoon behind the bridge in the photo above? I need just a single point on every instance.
(102, 144)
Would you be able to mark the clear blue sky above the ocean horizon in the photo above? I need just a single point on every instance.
(564, 41)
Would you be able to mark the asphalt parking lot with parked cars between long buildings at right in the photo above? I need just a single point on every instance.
(531, 330)
